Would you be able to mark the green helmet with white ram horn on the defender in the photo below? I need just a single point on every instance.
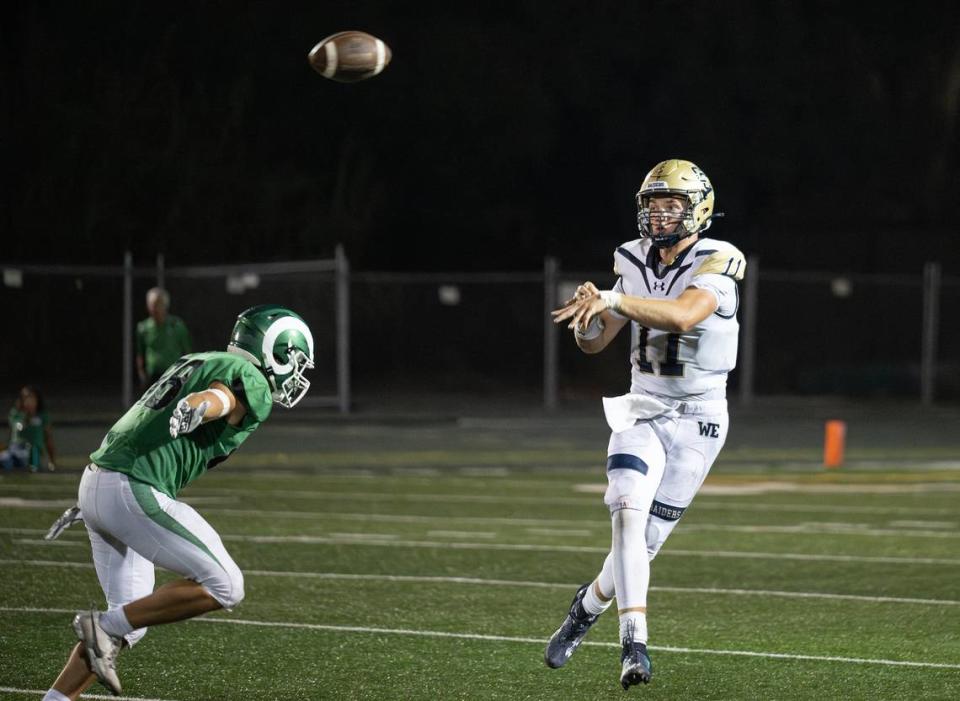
(278, 342)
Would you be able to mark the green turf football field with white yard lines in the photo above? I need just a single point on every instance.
(414, 572)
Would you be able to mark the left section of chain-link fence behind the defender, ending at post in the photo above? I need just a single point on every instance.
(72, 327)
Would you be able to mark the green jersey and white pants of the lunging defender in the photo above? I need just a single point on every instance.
(128, 493)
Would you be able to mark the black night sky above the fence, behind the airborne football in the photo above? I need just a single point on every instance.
(500, 133)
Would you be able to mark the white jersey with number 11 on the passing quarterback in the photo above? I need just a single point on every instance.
(692, 364)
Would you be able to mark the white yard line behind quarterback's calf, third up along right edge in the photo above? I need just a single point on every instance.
(527, 547)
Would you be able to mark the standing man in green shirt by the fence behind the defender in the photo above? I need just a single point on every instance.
(161, 338)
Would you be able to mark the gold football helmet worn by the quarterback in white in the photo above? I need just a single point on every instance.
(676, 178)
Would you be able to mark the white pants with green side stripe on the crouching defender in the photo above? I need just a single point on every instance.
(133, 527)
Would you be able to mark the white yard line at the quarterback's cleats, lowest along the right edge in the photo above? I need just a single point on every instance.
(517, 639)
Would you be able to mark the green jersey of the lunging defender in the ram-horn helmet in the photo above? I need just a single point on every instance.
(139, 444)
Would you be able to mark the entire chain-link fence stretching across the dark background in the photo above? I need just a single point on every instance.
(482, 334)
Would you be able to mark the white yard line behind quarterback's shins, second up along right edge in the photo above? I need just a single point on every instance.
(538, 585)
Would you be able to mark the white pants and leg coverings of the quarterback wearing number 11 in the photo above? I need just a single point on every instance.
(654, 470)
